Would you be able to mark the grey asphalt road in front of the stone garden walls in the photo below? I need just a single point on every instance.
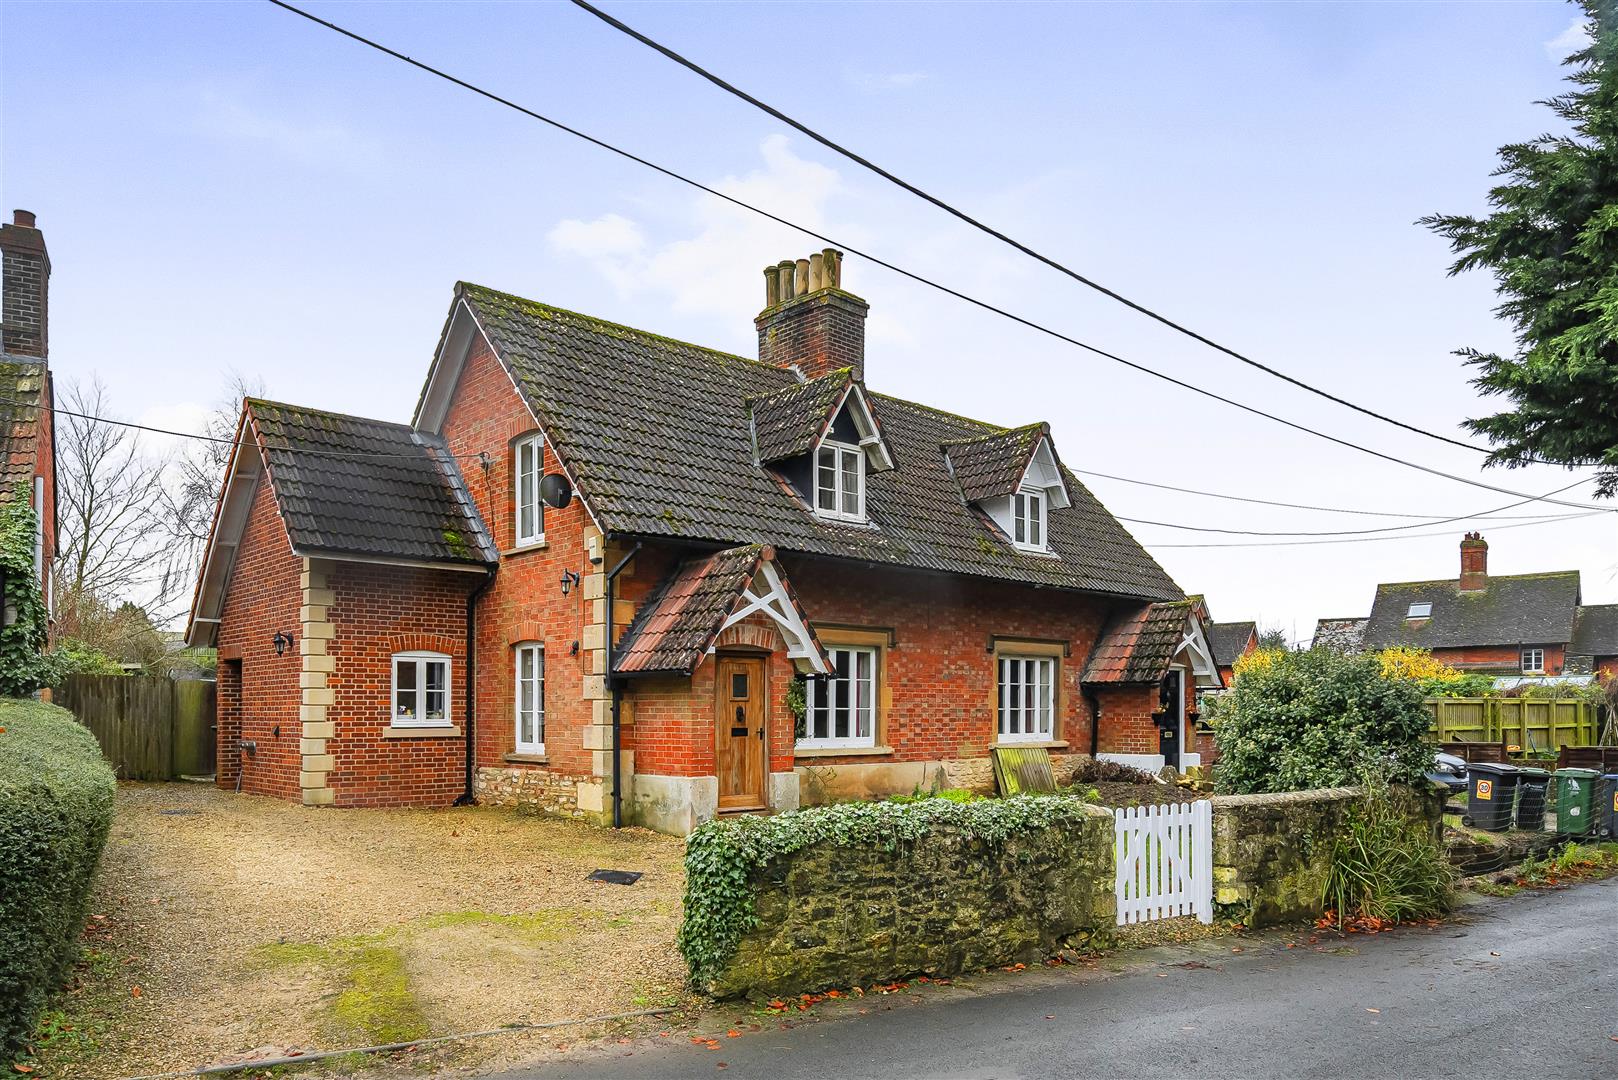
(1525, 987)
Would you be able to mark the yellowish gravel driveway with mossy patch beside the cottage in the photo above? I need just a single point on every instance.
(234, 922)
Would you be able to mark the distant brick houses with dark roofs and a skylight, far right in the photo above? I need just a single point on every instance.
(1518, 624)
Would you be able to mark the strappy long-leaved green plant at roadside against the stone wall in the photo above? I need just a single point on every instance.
(1387, 865)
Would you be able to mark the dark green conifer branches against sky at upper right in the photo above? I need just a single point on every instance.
(1552, 245)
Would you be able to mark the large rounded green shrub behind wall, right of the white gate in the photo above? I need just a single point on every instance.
(1319, 720)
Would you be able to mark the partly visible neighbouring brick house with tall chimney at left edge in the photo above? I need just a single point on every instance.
(28, 435)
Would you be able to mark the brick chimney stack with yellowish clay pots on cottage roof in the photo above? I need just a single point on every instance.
(810, 323)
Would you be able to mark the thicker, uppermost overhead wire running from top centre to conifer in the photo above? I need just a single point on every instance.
(1002, 237)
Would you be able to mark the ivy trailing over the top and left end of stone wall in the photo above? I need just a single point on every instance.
(724, 856)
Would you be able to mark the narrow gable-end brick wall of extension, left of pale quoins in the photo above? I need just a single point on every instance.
(263, 598)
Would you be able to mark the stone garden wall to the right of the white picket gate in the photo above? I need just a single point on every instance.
(1273, 853)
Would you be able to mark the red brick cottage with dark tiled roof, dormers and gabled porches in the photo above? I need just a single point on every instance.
(677, 582)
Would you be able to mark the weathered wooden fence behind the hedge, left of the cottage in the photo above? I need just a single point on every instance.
(148, 728)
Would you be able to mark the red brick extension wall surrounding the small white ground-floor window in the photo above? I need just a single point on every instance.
(376, 613)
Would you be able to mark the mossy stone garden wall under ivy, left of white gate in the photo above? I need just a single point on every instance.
(839, 916)
